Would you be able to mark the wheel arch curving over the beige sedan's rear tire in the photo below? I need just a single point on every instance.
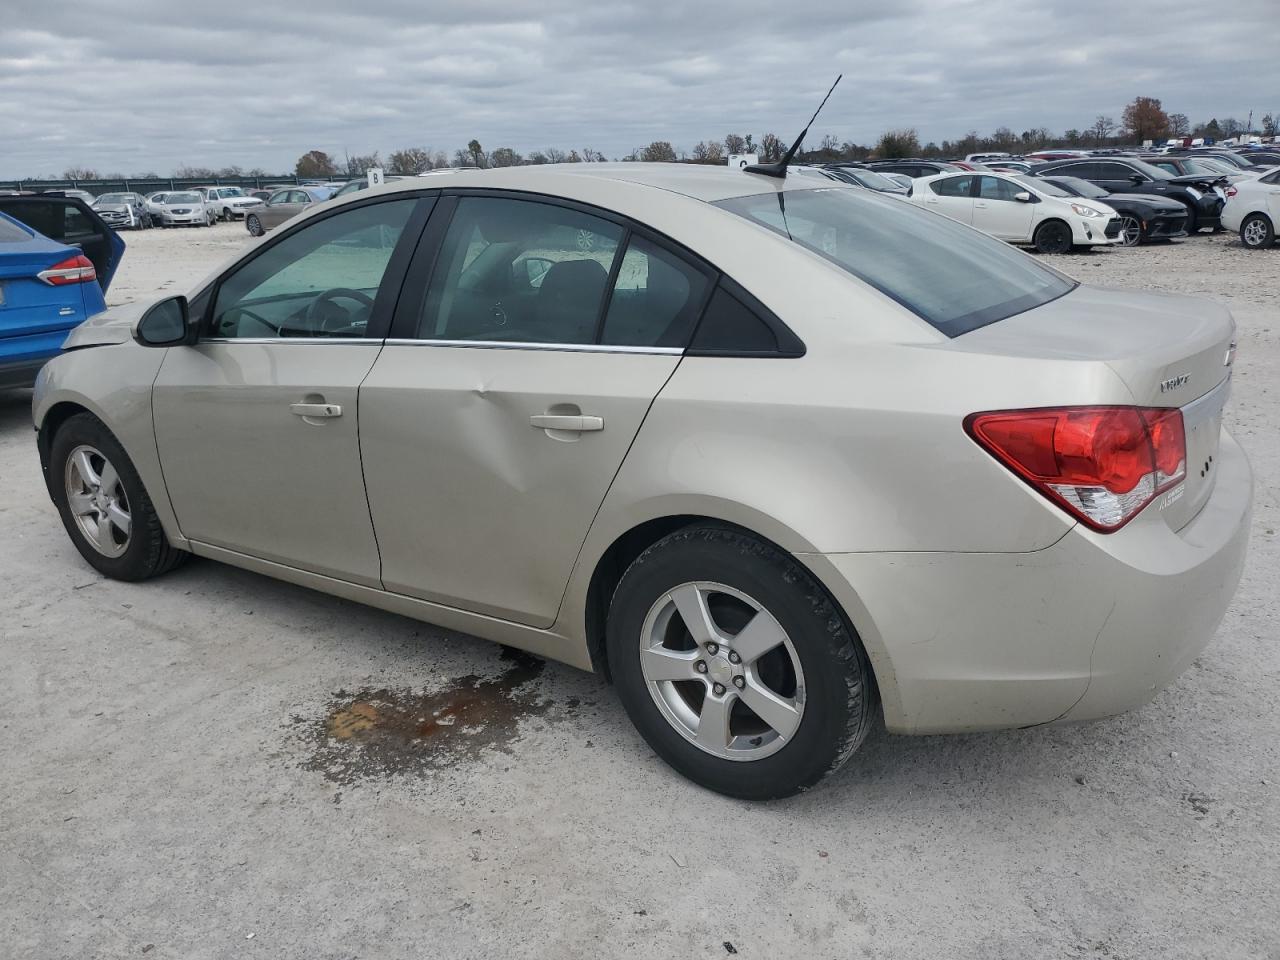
(620, 554)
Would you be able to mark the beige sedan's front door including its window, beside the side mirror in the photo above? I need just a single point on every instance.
(257, 426)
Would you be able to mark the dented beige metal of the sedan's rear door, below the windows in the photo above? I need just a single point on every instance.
(486, 467)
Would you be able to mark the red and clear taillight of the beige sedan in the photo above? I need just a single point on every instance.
(1100, 464)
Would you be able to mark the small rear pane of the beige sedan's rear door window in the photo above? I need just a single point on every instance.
(656, 299)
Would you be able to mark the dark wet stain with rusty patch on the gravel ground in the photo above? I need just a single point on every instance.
(394, 732)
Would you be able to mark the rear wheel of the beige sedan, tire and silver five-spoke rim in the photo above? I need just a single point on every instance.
(735, 666)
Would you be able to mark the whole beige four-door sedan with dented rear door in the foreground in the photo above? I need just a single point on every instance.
(774, 455)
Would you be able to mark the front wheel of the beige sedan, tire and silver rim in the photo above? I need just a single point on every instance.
(104, 506)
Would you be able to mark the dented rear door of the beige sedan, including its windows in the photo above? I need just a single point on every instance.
(518, 376)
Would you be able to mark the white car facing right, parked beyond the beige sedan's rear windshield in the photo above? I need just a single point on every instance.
(1020, 211)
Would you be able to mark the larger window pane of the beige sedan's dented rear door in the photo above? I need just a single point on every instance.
(520, 272)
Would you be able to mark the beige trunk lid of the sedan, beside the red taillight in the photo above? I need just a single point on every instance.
(1169, 351)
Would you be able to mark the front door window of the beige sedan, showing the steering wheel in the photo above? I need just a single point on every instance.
(317, 282)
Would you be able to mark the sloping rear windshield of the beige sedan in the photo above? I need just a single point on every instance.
(954, 278)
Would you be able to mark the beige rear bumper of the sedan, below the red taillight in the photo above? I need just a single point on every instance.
(1091, 627)
